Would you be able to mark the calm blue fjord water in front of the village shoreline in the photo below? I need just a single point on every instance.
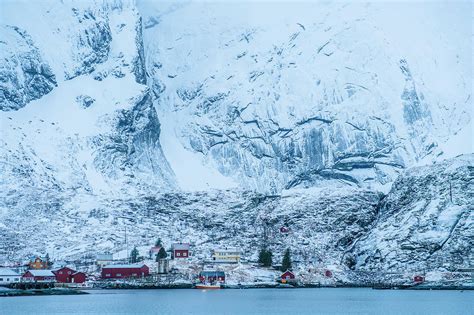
(251, 301)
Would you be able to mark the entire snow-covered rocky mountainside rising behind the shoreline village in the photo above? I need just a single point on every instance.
(219, 123)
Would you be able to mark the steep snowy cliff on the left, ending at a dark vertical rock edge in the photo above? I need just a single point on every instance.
(87, 122)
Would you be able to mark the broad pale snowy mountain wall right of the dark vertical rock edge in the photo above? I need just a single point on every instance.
(278, 95)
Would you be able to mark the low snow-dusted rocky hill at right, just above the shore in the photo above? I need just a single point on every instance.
(425, 222)
